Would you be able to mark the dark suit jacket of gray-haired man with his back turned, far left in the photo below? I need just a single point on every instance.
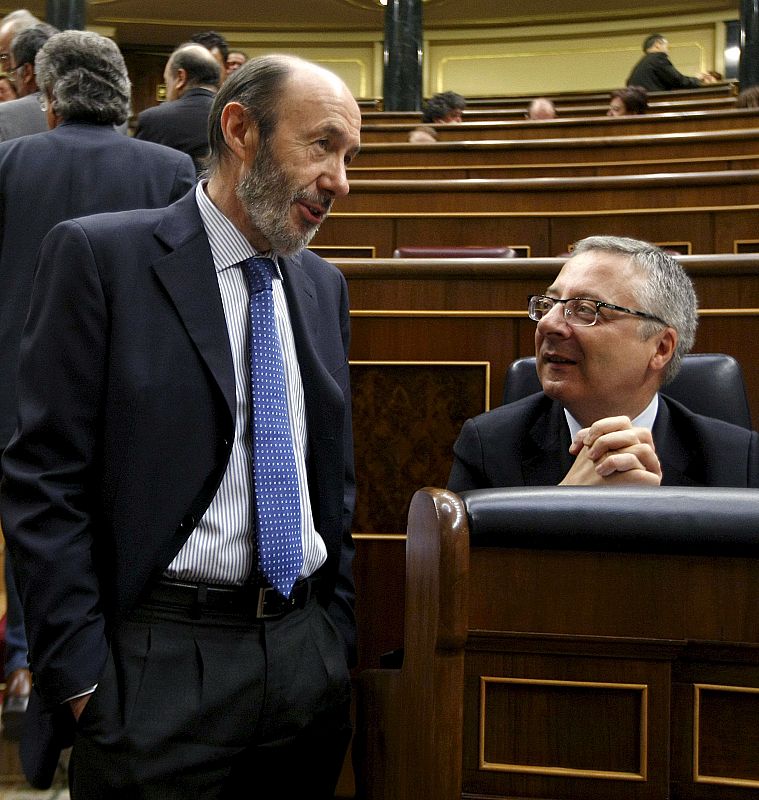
(72, 170)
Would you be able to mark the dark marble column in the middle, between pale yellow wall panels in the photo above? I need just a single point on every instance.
(403, 55)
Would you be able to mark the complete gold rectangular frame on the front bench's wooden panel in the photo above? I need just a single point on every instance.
(642, 773)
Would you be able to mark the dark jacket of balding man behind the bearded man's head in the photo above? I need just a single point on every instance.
(181, 124)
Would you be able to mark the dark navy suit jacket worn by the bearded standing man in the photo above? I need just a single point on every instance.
(126, 407)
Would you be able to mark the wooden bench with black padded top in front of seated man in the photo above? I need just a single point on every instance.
(571, 642)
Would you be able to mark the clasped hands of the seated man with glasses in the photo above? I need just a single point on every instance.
(612, 452)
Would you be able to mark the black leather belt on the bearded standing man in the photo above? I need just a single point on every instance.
(260, 602)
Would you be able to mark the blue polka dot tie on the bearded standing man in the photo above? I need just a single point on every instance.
(275, 480)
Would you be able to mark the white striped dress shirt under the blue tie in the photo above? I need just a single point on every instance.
(222, 549)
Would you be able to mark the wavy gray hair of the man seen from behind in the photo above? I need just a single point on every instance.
(86, 77)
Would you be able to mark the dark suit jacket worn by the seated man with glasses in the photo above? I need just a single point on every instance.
(526, 443)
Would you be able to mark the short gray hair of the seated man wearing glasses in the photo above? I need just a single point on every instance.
(666, 291)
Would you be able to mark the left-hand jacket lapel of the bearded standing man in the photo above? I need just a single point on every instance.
(187, 273)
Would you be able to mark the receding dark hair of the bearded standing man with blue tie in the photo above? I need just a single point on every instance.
(257, 86)
